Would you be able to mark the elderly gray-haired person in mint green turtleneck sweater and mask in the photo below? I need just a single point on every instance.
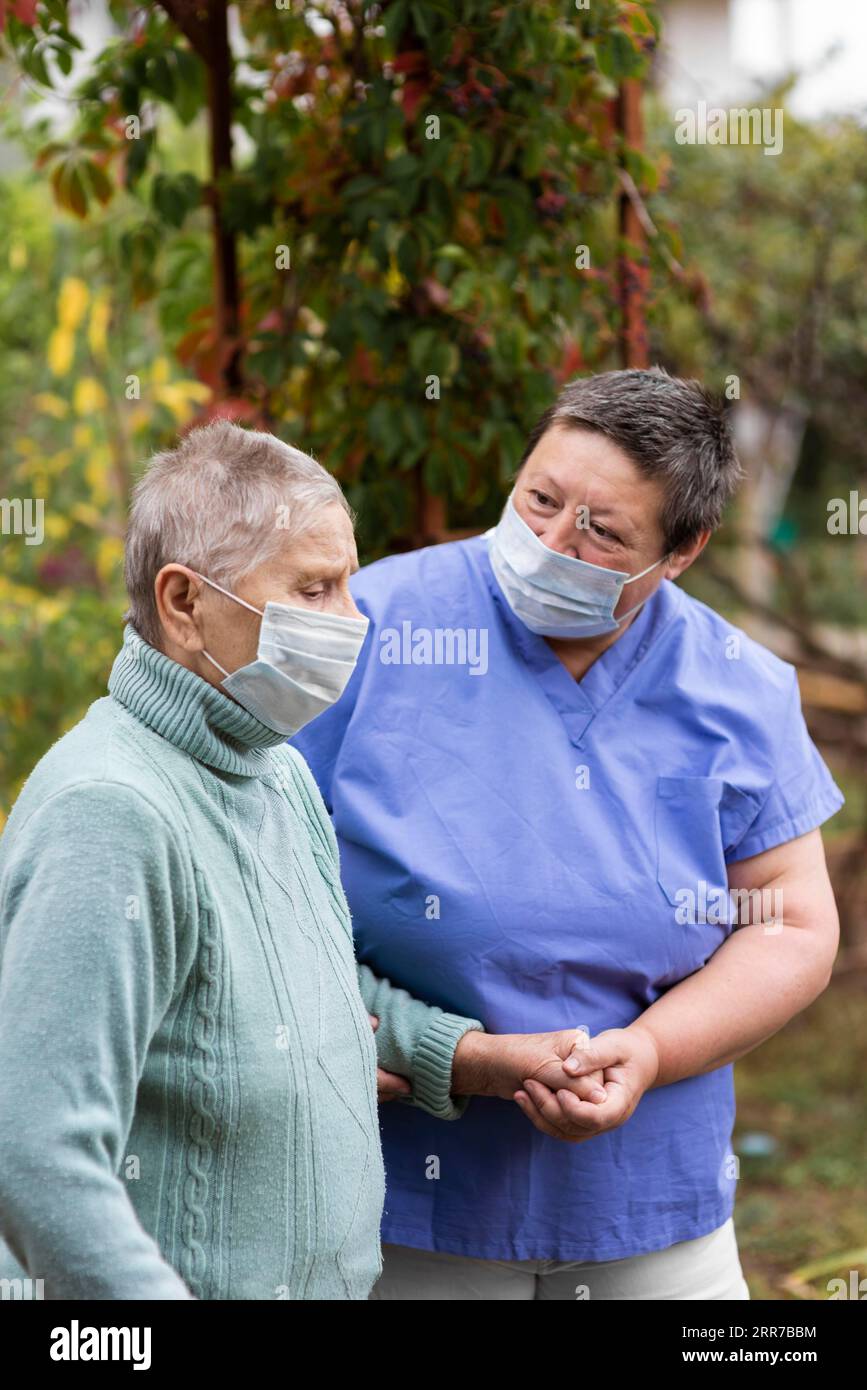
(188, 1071)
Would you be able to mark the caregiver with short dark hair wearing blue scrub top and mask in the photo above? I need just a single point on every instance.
(600, 807)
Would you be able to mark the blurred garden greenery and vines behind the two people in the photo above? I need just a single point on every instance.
(297, 215)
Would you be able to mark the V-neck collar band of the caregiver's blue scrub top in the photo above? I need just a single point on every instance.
(579, 703)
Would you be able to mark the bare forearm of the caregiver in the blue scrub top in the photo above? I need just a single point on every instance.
(750, 989)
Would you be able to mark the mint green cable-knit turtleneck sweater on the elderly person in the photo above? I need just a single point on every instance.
(188, 1100)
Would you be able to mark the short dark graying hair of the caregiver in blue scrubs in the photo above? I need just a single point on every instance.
(673, 430)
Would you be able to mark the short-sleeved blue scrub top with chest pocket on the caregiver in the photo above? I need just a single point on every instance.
(519, 847)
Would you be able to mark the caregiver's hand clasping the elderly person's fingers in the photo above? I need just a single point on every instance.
(630, 1064)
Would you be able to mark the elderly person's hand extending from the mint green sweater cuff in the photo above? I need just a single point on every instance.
(498, 1064)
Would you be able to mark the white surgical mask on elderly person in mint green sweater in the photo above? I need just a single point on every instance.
(304, 664)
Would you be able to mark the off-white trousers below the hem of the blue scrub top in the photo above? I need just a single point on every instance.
(702, 1270)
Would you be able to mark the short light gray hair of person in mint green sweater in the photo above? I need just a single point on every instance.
(224, 502)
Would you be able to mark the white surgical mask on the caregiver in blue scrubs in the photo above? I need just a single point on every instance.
(555, 596)
